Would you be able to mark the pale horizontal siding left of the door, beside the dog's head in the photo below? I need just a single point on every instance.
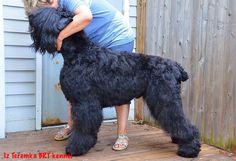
(20, 66)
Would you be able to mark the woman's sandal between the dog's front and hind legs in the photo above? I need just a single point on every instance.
(121, 142)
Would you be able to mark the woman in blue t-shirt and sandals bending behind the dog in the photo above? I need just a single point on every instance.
(105, 26)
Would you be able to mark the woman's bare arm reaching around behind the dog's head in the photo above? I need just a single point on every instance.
(82, 18)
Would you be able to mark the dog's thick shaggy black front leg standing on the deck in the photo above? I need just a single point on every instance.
(87, 119)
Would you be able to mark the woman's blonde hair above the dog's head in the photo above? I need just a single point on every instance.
(34, 4)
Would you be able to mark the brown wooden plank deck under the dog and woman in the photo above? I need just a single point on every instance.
(146, 143)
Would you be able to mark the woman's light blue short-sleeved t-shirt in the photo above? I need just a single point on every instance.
(108, 27)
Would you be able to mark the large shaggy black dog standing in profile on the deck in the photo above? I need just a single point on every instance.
(94, 77)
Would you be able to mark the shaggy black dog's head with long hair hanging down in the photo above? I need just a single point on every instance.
(45, 26)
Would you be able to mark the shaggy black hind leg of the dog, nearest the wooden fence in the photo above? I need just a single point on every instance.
(164, 101)
